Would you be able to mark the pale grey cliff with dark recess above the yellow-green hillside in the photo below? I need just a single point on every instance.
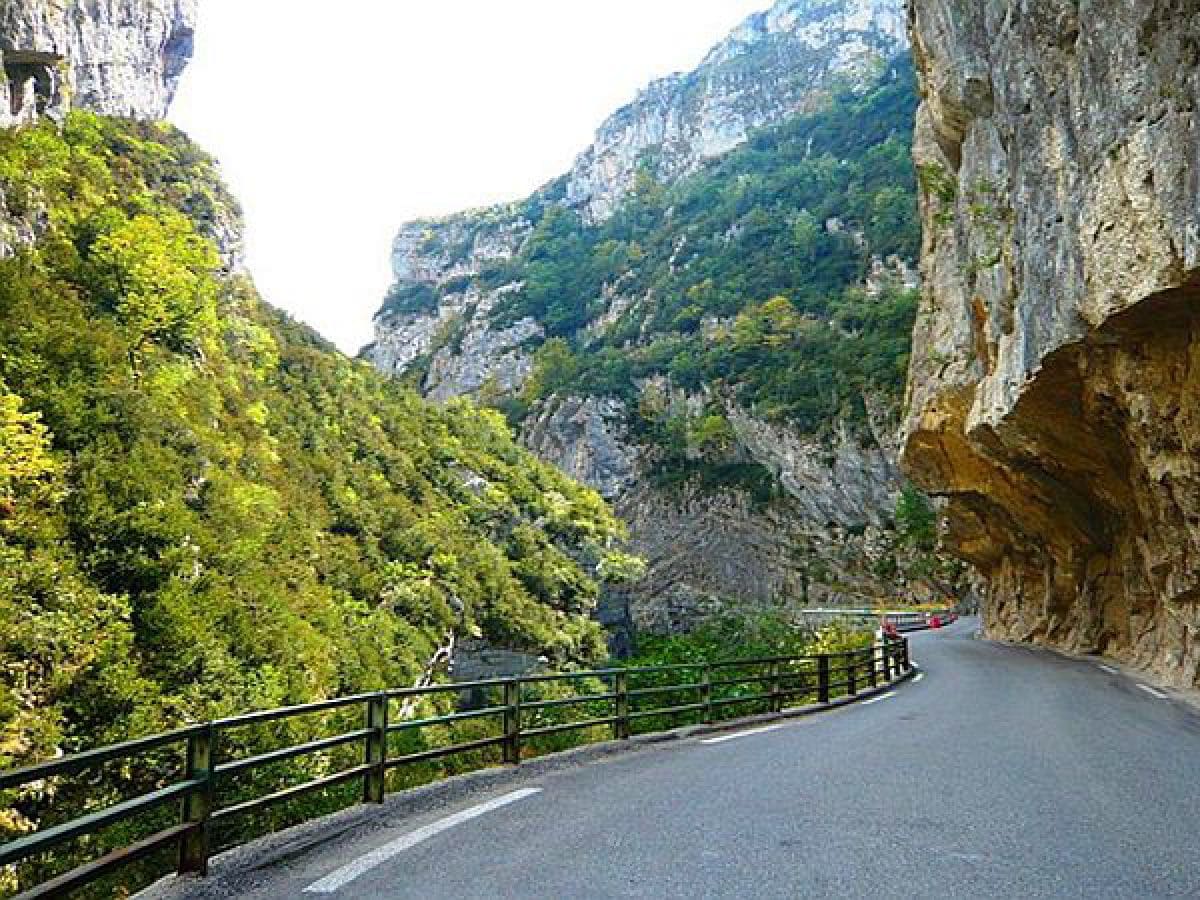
(112, 57)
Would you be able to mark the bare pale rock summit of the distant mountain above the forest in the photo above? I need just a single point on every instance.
(776, 65)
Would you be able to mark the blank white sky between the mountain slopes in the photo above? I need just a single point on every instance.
(337, 123)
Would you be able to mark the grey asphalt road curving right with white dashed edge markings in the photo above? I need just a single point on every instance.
(1004, 772)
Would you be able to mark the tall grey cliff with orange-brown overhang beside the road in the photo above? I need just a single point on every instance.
(1055, 391)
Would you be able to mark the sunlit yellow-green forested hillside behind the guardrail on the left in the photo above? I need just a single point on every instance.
(203, 508)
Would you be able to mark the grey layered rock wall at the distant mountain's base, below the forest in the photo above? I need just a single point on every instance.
(819, 536)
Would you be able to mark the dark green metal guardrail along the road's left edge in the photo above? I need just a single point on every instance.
(704, 688)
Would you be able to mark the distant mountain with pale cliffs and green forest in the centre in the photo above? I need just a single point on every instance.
(723, 352)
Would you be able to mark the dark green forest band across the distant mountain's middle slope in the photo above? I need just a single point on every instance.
(748, 275)
